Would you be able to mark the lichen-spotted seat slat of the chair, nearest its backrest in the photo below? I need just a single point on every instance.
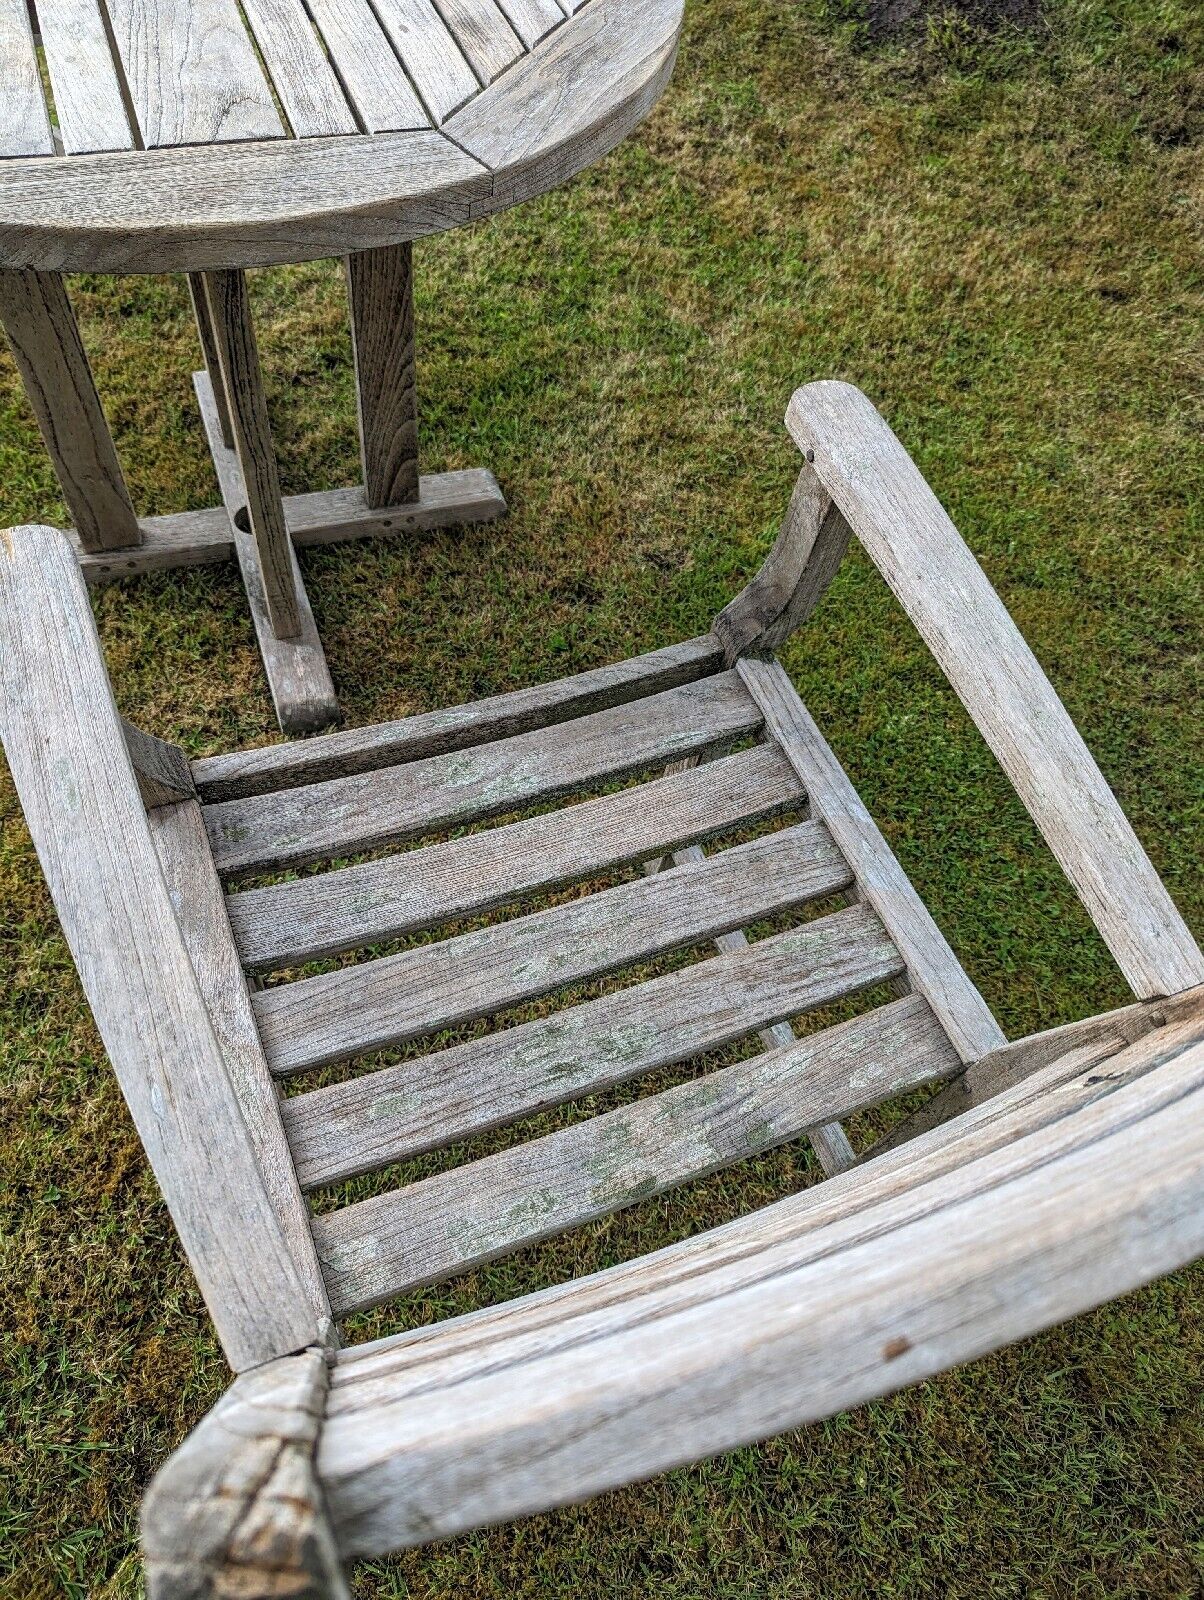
(488, 1209)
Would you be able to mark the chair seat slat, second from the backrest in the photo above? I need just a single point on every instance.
(457, 1094)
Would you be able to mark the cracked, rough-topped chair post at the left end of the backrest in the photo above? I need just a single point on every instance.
(238, 1510)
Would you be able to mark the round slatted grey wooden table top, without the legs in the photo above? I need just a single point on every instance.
(209, 134)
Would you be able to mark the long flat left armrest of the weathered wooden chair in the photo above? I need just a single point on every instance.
(71, 769)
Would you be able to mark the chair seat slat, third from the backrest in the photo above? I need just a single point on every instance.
(435, 986)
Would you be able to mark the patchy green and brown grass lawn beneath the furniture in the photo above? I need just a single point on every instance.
(998, 241)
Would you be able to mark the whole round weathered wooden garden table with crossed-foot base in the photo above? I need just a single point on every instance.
(207, 137)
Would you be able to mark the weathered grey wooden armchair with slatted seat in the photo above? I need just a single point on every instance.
(1048, 1177)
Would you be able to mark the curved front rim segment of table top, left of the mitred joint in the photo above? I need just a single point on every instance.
(262, 202)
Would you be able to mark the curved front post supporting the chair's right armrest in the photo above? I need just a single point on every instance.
(795, 578)
